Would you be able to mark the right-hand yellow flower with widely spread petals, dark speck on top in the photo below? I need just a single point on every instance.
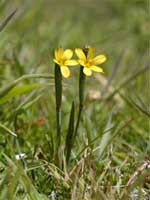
(88, 61)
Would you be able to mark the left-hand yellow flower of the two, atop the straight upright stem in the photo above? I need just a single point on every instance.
(62, 58)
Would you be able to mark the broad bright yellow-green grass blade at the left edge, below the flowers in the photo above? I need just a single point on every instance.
(18, 90)
